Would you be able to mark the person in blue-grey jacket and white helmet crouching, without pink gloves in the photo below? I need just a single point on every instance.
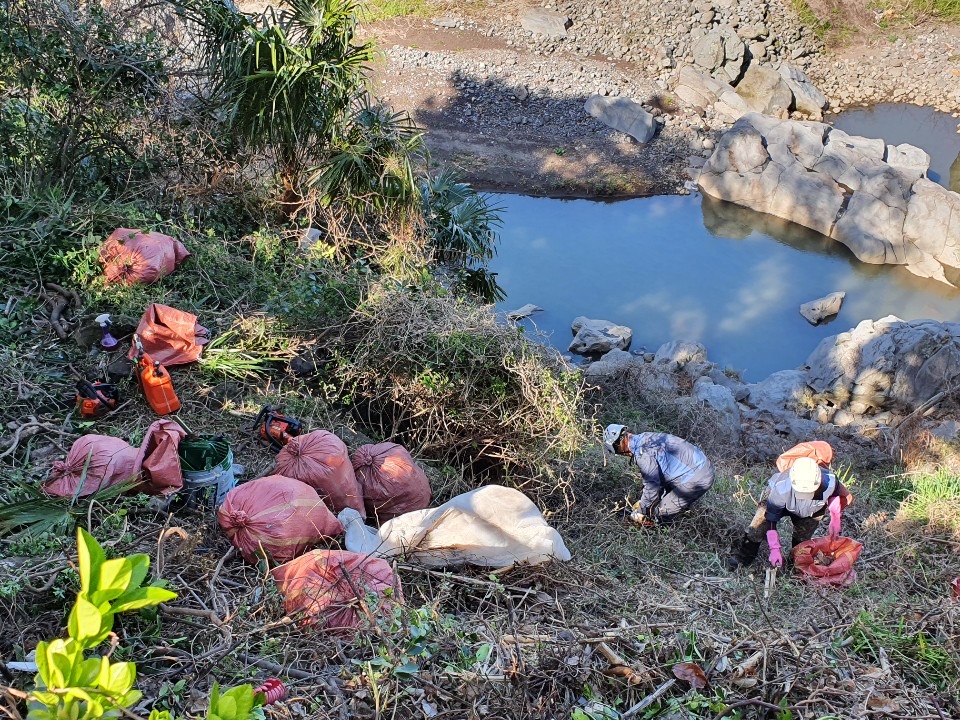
(675, 472)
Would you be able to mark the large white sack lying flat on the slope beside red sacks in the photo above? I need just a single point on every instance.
(492, 526)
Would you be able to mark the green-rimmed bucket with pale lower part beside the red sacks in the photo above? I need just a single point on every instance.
(206, 462)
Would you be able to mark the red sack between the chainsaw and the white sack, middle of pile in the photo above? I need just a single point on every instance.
(320, 459)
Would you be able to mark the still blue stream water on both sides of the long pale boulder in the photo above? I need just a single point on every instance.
(693, 268)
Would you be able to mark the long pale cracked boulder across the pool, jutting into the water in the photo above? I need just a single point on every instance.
(841, 186)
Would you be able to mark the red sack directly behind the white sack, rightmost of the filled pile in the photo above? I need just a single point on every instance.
(391, 482)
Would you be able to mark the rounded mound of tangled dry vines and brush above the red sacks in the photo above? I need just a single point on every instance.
(450, 380)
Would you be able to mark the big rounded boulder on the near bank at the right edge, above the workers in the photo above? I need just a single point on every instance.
(886, 364)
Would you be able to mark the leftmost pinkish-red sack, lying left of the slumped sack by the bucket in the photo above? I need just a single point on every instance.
(112, 460)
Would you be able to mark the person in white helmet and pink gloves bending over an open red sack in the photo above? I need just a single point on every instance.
(804, 493)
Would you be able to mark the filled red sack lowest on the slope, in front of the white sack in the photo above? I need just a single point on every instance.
(320, 589)
